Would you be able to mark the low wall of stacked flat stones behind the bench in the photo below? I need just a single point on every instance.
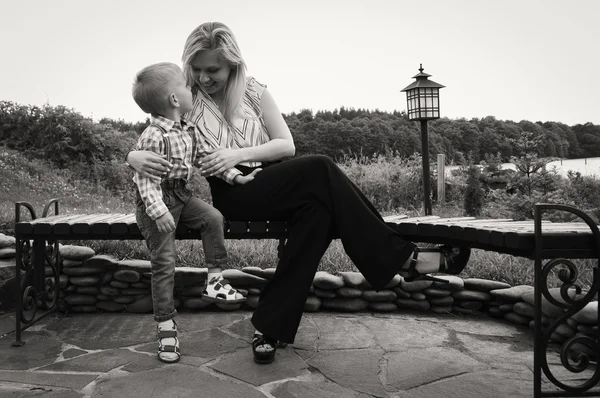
(92, 283)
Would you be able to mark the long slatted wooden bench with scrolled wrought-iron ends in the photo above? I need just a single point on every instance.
(535, 239)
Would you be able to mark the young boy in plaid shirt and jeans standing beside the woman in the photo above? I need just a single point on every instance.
(161, 90)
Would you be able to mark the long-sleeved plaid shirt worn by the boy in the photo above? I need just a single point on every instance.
(184, 155)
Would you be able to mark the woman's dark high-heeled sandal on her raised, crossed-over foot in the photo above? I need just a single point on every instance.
(452, 261)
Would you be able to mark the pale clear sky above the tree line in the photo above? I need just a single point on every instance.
(536, 60)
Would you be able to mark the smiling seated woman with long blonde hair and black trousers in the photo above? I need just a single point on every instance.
(238, 116)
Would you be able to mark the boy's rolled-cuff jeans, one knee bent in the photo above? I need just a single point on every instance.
(193, 213)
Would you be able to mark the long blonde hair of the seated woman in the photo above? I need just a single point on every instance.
(218, 37)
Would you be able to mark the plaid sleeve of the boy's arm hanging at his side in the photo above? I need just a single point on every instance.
(149, 188)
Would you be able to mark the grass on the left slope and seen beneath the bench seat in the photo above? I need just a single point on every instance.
(36, 183)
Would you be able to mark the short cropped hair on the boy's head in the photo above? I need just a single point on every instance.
(152, 86)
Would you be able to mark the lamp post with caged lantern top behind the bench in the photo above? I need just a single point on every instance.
(422, 98)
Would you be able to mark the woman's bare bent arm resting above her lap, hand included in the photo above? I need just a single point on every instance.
(280, 145)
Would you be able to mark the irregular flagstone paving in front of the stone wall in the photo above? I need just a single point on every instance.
(335, 355)
